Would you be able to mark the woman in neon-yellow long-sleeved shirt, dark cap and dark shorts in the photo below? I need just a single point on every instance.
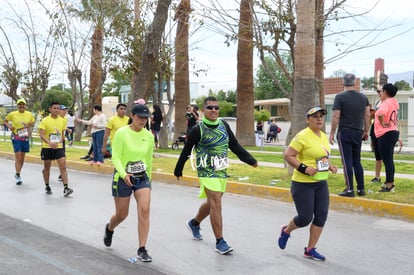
(133, 170)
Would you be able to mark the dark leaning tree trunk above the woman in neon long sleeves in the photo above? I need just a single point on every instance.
(144, 84)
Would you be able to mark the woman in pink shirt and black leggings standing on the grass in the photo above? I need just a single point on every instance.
(386, 131)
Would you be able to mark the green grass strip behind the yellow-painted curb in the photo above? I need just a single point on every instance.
(269, 176)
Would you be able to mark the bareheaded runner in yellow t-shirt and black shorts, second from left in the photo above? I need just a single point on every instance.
(52, 130)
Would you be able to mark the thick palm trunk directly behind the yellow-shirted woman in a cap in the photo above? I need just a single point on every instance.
(305, 89)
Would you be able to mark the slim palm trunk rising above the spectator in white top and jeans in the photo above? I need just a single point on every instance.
(96, 72)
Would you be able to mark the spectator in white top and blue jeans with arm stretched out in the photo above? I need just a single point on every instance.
(98, 122)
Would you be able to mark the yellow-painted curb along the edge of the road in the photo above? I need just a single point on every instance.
(355, 205)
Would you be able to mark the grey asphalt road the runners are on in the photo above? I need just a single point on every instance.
(42, 234)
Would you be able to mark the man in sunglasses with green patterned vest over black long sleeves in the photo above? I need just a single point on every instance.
(211, 139)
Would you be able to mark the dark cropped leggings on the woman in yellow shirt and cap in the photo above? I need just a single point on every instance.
(311, 201)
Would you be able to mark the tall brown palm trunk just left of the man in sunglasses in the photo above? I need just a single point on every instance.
(182, 81)
